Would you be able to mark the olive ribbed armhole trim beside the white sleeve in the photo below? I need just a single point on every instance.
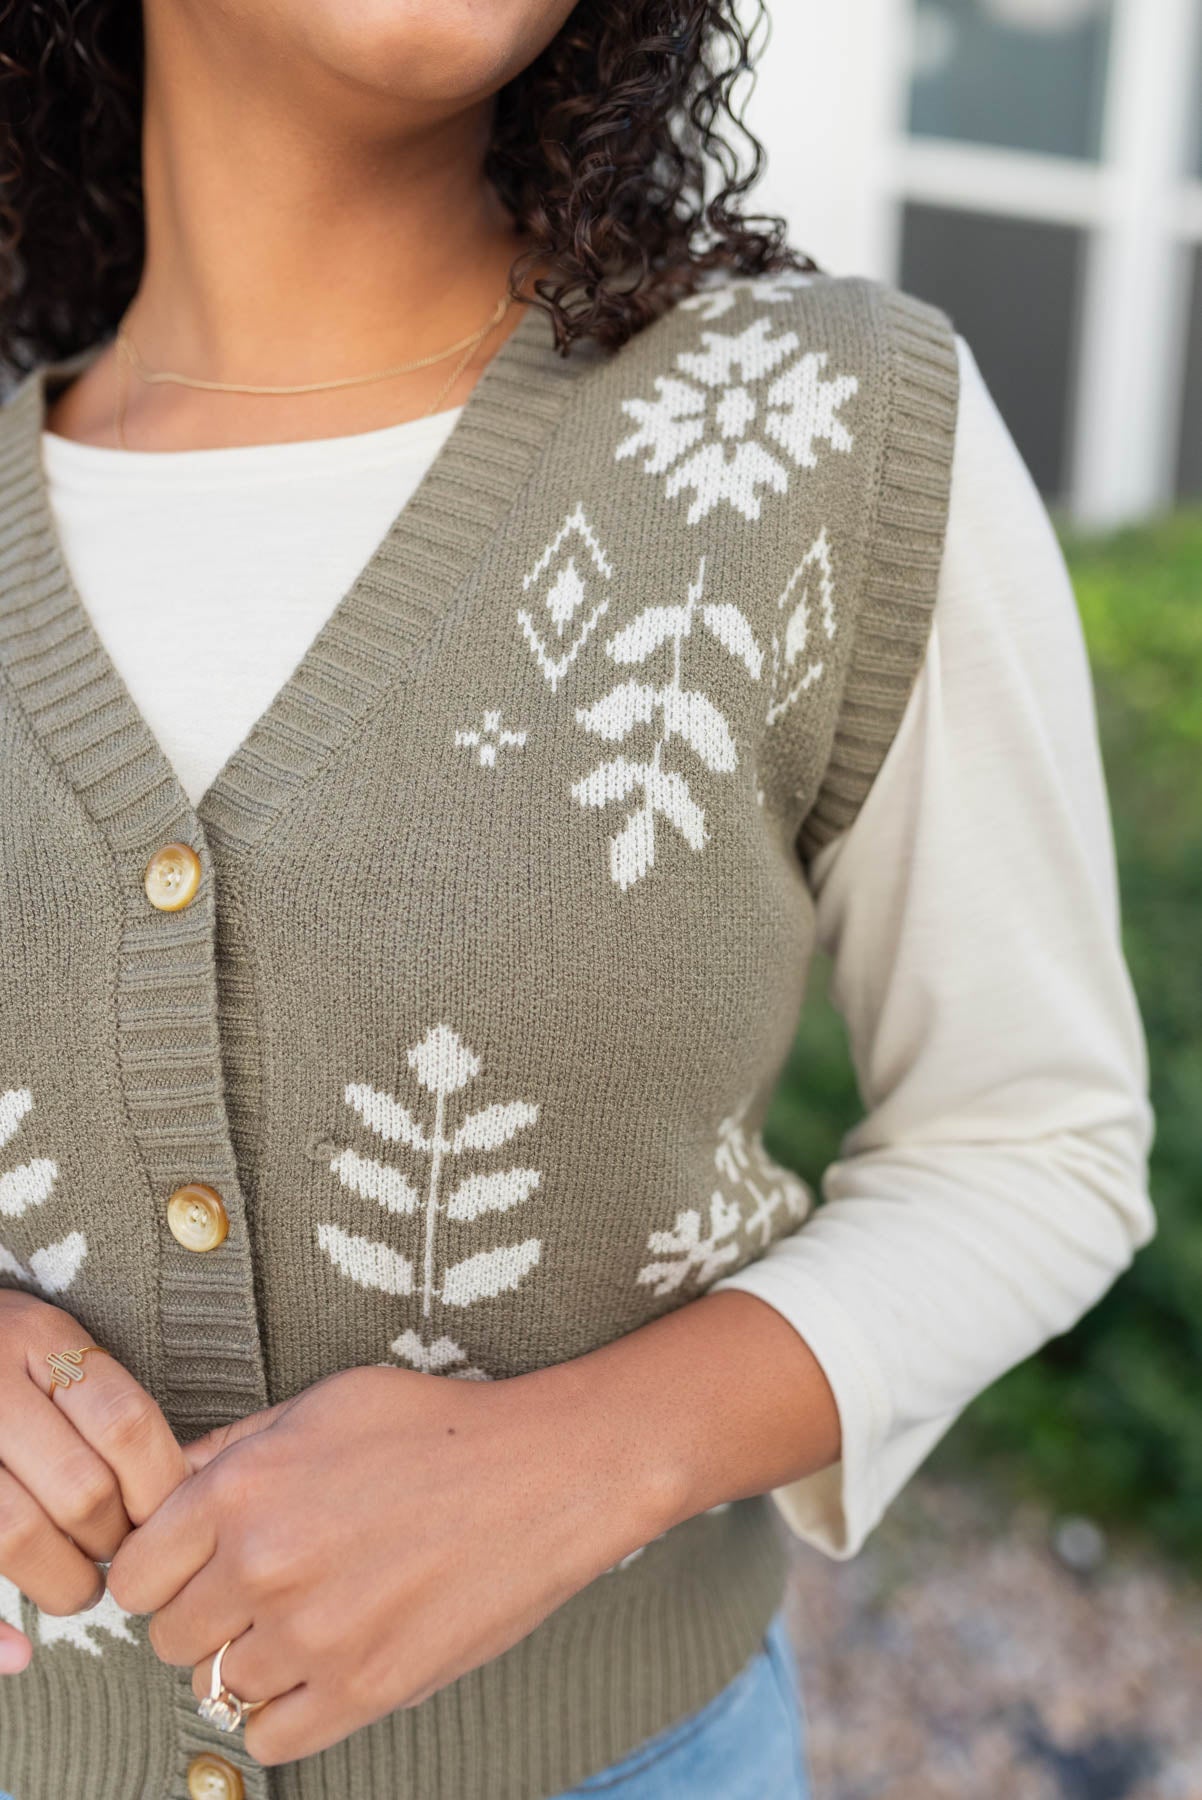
(904, 555)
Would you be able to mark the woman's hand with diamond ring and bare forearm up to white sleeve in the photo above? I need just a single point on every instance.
(384, 1533)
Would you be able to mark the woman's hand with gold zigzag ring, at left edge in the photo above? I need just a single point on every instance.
(76, 1470)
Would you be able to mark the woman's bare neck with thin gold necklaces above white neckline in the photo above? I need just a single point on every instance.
(296, 231)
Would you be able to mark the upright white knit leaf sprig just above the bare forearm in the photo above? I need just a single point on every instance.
(444, 1066)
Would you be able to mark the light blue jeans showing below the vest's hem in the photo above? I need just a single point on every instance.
(746, 1745)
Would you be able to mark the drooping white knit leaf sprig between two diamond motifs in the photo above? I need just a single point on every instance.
(686, 715)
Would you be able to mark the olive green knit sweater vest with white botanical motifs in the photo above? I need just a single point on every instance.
(498, 955)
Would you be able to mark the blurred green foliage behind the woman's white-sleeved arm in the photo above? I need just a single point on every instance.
(1108, 1419)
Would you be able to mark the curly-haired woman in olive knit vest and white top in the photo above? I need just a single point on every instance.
(436, 733)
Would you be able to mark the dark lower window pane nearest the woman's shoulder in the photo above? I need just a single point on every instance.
(1012, 292)
